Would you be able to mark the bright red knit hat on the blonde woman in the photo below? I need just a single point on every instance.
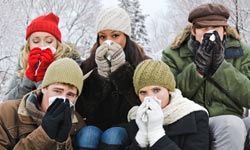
(47, 23)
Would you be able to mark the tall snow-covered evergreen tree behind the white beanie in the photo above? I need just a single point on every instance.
(139, 33)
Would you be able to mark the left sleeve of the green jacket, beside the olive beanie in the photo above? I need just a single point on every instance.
(187, 79)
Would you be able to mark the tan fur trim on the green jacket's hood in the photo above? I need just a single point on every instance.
(183, 36)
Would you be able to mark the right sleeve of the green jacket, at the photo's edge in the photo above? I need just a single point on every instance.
(229, 79)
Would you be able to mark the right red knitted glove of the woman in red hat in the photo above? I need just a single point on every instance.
(46, 59)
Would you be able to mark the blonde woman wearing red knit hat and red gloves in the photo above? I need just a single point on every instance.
(43, 46)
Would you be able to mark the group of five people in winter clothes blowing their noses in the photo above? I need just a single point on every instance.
(120, 98)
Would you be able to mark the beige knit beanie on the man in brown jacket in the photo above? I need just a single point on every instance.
(64, 70)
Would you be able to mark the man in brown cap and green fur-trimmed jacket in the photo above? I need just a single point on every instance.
(212, 67)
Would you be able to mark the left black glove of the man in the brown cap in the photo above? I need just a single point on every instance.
(203, 56)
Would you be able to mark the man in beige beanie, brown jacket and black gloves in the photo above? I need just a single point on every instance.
(45, 118)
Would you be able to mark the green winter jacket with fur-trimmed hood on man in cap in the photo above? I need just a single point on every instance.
(227, 91)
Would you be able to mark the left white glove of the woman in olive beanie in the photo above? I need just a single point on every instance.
(141, 136)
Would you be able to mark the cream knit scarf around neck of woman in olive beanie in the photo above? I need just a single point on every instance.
(178, 108)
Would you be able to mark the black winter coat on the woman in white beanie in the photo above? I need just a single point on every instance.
(105, 102)
